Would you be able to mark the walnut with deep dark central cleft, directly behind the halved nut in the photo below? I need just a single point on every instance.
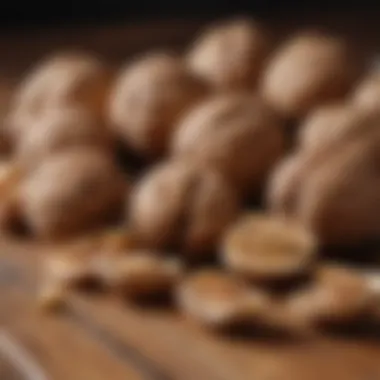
(180, 204)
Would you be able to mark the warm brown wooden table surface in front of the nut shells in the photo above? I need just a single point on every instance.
(102, 338)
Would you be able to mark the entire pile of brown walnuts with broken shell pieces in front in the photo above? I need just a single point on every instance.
(232, 122)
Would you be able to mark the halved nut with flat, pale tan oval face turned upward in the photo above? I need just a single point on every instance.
(265, 247)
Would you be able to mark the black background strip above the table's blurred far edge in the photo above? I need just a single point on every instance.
(39, 13)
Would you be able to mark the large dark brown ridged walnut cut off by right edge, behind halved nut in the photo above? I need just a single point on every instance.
(333, 192)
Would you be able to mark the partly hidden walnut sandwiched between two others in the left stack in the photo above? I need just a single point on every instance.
(59, 129)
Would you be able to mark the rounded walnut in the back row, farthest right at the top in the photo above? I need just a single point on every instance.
(309, 69)
